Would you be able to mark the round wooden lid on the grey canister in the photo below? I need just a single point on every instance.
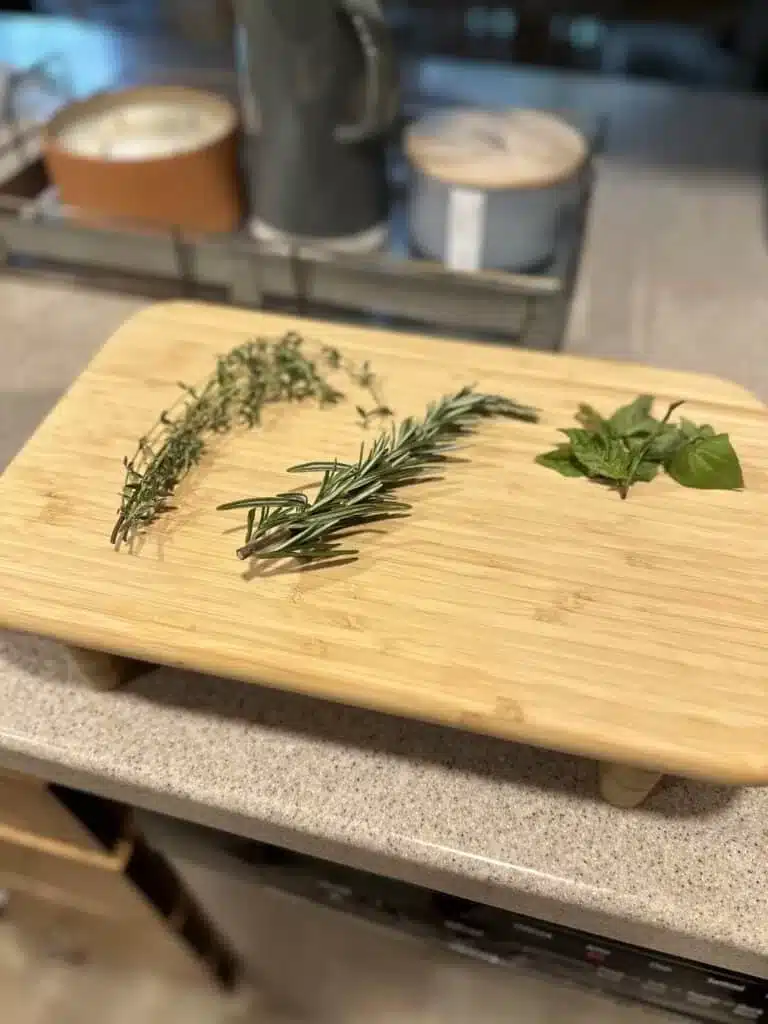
(513, 149)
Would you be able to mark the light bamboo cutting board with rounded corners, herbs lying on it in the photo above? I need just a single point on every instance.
(513, 602)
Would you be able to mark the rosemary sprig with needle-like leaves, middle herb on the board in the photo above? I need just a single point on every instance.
(357, 494)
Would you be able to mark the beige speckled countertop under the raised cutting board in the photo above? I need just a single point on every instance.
(676, 273)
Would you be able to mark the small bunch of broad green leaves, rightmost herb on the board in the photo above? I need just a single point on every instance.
(632, 446)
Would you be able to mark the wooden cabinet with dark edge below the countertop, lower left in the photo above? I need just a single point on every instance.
(82, 884)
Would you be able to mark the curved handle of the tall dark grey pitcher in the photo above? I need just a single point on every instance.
(380, 105)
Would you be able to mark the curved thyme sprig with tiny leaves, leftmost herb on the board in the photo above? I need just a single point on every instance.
(246, 379)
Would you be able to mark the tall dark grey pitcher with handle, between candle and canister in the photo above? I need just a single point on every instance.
(322, 78)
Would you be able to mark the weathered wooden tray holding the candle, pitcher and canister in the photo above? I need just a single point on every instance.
(393, 288)
